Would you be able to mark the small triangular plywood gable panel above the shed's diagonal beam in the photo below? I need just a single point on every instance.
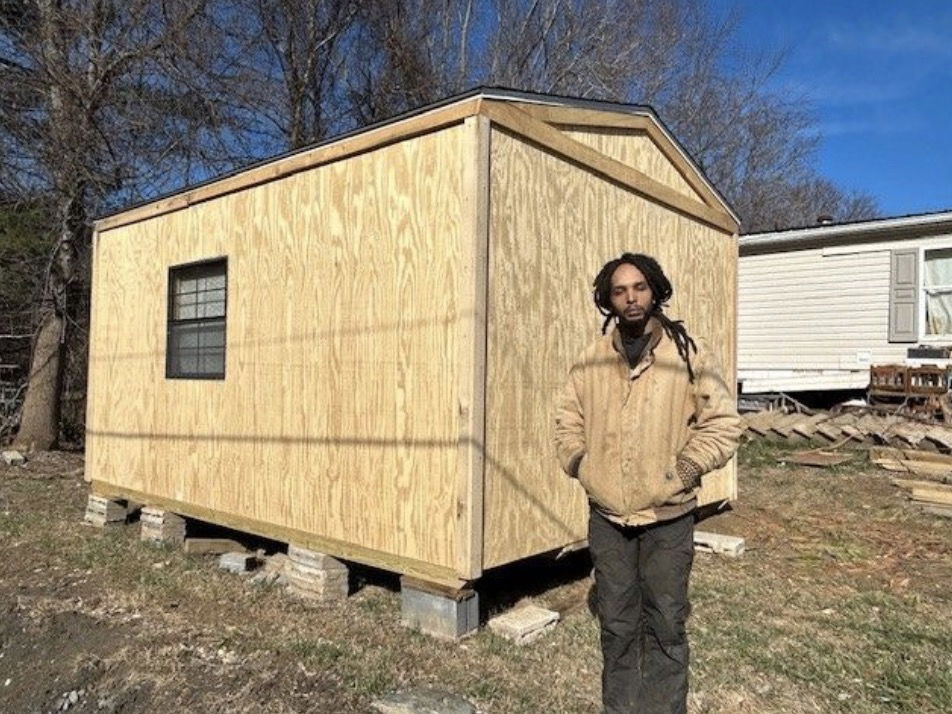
(636, 149)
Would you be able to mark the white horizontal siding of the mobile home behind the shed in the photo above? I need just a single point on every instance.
(816, 318)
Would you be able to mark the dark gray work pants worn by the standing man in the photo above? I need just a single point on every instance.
(641, 579)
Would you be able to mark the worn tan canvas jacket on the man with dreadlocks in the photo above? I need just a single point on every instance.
(621, 431)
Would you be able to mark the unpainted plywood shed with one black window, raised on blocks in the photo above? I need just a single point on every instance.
(353, 348)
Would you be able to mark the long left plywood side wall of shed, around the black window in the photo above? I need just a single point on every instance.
(338, 415)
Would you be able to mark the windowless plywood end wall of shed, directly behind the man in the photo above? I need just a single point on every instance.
(552, 226)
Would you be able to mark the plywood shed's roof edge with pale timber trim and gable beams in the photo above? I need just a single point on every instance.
(529, 114)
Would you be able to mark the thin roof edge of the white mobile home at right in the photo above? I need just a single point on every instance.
(866, 231)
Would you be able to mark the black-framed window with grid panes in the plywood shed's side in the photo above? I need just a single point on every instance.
(195, 347)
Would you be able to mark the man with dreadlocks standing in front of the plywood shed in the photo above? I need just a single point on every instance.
(645, 413)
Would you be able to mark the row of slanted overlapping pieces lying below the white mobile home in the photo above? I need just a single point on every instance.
(848, 428)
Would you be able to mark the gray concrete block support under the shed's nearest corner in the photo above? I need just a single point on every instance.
(449, 615)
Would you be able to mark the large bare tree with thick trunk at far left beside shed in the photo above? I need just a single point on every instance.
(93, 113)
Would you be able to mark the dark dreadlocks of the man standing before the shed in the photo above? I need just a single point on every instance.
(661, 292)
